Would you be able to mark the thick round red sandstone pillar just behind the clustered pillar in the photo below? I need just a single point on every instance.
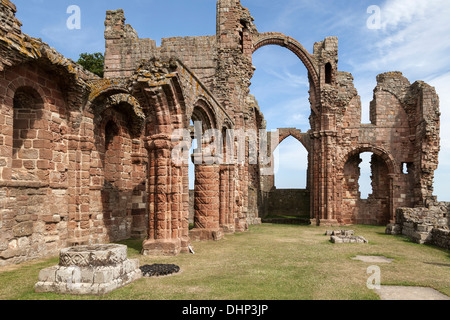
(206, 203)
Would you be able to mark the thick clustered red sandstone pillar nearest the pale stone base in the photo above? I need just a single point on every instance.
(165, 197)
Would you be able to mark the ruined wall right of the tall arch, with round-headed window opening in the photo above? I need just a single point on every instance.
(393, 139)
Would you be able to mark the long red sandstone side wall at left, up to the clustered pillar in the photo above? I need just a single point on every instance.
(52, 171)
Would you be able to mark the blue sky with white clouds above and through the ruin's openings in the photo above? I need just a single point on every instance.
(412, 38)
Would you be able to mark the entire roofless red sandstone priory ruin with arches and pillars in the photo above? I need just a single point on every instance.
(86, 160)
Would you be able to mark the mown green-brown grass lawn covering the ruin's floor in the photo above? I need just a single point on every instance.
(270, 262)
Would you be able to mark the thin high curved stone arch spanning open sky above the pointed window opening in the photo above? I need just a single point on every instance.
(274, 38)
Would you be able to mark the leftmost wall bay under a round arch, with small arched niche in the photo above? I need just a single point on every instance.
(34, 125)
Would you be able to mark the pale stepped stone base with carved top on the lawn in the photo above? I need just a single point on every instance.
(89, 270)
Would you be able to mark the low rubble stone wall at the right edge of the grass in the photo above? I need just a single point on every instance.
(424, 225)
